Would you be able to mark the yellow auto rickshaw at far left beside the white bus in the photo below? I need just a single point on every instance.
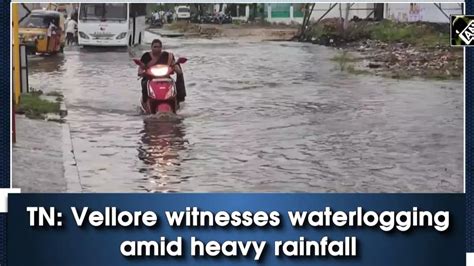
(43, 32)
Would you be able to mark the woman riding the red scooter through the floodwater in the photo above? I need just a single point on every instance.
(158, 56)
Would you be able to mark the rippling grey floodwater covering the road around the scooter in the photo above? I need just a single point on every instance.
(258, 117)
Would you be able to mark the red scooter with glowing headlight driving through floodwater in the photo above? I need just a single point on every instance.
(162, 94)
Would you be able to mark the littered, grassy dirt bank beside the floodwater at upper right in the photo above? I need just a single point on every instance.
(397, 50)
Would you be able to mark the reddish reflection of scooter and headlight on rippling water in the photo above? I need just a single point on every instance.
(161, 142)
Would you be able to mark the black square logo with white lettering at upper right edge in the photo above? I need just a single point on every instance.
(462, 30)
